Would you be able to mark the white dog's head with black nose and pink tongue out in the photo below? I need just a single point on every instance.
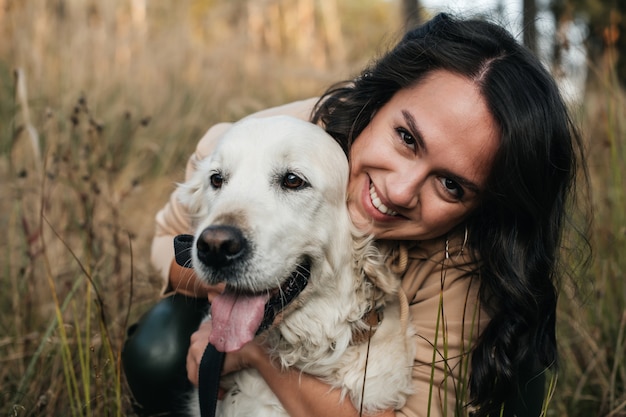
(268, 207)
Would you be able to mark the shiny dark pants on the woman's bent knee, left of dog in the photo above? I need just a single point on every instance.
(155, 352)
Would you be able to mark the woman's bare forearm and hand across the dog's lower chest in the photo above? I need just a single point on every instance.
(301, 394)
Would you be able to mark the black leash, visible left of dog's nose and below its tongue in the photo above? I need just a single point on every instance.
(212, 360)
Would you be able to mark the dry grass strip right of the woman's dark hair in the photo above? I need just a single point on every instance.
(592, 328)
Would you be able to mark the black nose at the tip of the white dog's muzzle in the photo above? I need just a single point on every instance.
(220, 245)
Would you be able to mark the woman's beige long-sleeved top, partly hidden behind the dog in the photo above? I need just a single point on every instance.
(440, 287)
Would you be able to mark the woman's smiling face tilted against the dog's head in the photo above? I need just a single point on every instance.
(419, 167)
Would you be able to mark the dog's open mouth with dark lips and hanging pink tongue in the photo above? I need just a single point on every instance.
(237, 317)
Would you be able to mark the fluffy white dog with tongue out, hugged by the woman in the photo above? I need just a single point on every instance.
(269, 210)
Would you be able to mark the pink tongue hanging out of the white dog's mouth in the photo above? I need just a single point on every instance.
(235, 318)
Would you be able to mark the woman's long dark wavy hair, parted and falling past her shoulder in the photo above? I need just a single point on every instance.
(517, 230)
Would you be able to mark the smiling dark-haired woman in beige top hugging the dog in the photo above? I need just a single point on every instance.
(462, 162)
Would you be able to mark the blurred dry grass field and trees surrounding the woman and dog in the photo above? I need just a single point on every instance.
(101, 103)
